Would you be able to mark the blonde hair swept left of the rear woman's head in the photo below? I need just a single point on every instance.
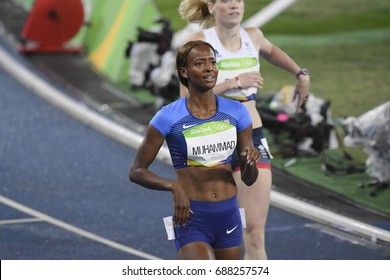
(197, 11)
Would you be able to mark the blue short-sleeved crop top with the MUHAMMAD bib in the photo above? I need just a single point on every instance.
(201, 142)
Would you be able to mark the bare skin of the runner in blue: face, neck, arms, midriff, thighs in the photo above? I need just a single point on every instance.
(197, 183)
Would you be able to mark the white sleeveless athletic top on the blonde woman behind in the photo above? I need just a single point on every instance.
(232, 63)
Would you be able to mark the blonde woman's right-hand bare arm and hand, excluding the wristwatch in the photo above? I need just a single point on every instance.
(279, 58)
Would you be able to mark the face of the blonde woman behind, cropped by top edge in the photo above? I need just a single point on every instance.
(227, 12)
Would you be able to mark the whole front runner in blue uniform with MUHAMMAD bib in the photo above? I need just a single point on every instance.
(202, 131)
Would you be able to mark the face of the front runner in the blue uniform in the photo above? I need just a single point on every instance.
(201, 69)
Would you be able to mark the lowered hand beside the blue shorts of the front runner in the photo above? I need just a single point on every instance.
(181, 205)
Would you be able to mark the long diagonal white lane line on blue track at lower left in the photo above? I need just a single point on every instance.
(74, 229)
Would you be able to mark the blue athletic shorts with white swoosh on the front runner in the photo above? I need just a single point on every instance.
(216, 223)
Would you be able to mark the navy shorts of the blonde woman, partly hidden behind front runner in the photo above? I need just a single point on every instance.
(264, 161)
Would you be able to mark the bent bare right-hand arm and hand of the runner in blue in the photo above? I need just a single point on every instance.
(249, 156)
